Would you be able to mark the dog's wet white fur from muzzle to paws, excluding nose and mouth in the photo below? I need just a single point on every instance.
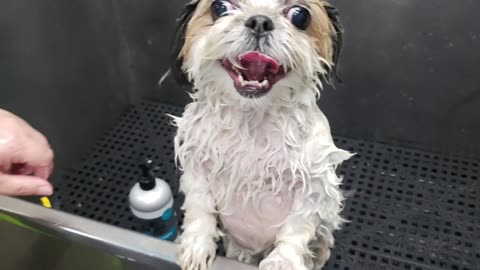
(241, 158)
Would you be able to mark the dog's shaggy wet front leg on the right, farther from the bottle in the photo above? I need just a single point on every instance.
(316, 215)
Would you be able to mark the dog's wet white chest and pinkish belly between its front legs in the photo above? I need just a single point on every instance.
(253, 159)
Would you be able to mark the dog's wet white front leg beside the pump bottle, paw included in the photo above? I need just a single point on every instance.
(200, 234)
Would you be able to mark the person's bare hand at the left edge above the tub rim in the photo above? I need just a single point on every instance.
(26, 159)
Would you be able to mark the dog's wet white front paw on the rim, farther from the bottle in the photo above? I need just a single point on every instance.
(281, 259)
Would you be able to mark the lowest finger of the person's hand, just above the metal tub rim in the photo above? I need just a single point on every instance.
(21, 185)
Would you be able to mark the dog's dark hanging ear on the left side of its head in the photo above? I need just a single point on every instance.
(176, 65)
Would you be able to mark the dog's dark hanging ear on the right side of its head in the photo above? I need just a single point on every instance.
(337, 40)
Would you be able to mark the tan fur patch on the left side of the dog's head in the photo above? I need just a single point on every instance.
(198, 26)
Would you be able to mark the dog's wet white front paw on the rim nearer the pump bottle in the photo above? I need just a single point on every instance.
(196, 253)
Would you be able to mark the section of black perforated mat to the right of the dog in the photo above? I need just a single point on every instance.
(409, 210)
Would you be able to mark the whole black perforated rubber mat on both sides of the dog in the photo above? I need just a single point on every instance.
(408, 209)
